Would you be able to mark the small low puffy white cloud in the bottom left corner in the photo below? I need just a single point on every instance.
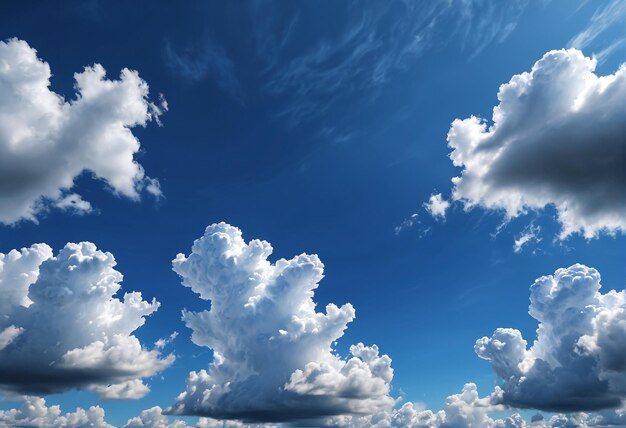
(35, 413)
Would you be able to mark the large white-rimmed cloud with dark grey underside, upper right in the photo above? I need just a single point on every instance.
(558, 138)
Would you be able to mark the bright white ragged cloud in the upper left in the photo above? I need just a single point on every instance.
(47, 141)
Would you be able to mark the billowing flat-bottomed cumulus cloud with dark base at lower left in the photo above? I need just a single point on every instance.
(62, 326)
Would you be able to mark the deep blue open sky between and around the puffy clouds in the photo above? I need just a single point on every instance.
(313, 167)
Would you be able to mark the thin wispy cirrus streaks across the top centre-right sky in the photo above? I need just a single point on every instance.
(374, 42)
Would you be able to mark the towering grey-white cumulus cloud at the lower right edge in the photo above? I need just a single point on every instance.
(578, 360)
